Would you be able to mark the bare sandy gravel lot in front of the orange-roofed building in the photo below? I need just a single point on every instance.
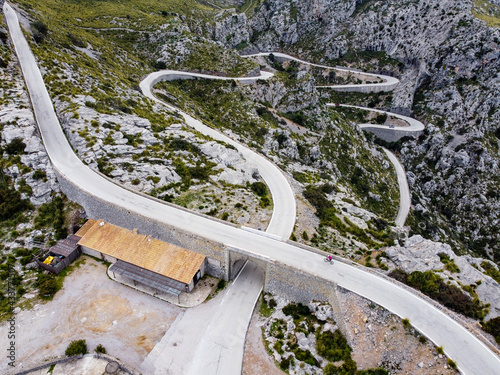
(90, 306)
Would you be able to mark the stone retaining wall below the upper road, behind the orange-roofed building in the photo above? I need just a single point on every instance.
(98, 209)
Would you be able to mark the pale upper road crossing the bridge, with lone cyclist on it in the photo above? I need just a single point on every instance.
(471, 355)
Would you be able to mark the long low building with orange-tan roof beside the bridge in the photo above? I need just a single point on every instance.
(142, 259)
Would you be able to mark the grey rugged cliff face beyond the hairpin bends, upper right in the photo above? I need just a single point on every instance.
(447, 61)
